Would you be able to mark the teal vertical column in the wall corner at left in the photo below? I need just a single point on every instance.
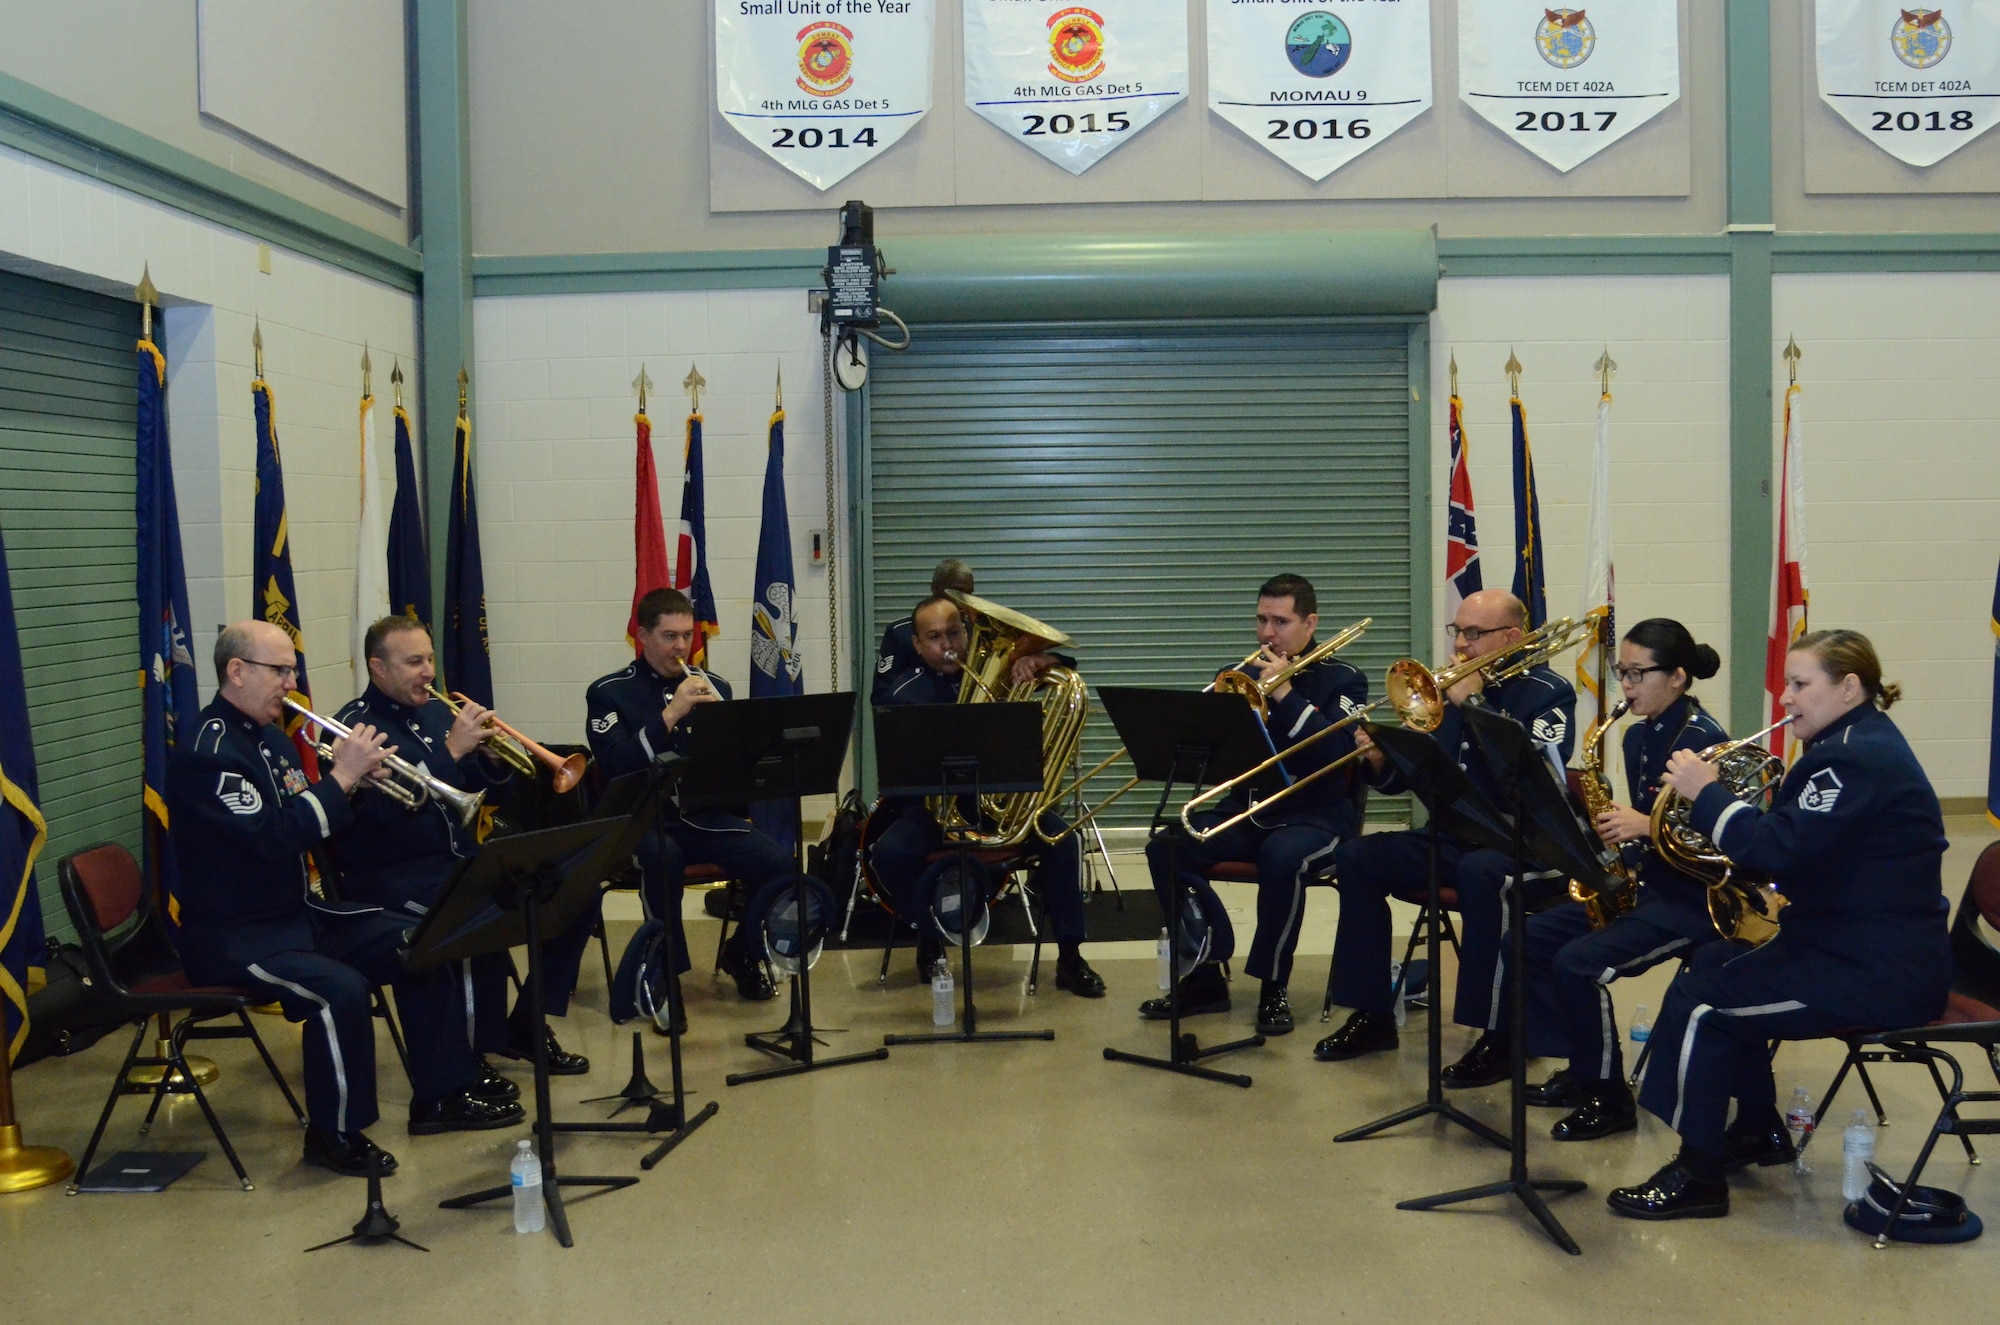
(445, 211)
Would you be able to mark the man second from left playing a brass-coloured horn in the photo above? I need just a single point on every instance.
(399, 856)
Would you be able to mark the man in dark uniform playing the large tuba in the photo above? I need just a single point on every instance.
(913, 836)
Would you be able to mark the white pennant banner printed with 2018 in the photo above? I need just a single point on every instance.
(1915, 83)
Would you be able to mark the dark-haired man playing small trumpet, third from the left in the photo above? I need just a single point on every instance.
(641, 714)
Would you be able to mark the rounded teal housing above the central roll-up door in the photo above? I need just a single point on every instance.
(1131, 277)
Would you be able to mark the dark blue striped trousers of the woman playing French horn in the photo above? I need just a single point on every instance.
(1713, 1044)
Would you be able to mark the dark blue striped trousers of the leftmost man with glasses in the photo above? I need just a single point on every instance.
(323, 978)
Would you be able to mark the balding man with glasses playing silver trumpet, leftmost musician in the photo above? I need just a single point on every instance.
(243, 818)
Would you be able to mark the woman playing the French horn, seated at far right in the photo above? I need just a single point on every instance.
(1855, 840)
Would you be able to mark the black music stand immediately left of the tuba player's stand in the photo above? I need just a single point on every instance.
(777, 750)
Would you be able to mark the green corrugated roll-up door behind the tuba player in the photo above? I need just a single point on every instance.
(1135, 485)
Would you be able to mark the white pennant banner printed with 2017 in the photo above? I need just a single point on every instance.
(1569, 83)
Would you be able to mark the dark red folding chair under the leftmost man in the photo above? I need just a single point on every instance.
(103, 892)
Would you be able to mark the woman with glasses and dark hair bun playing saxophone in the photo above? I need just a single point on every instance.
(1571, 968)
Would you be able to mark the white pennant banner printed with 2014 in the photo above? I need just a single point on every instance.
(823, 87)
